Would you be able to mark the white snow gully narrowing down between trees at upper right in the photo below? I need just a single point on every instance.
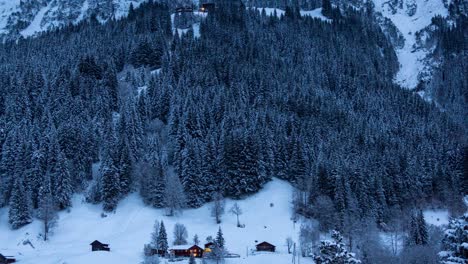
(411, 59)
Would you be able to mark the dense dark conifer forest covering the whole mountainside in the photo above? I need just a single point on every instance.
(183, 119)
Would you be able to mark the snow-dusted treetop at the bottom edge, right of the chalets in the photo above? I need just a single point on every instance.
(334, 252)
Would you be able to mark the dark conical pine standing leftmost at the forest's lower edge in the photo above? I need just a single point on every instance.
(19, 213)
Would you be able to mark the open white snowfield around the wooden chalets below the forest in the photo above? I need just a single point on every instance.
(266, 216)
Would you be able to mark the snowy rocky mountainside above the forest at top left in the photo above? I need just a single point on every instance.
(25, 18)
